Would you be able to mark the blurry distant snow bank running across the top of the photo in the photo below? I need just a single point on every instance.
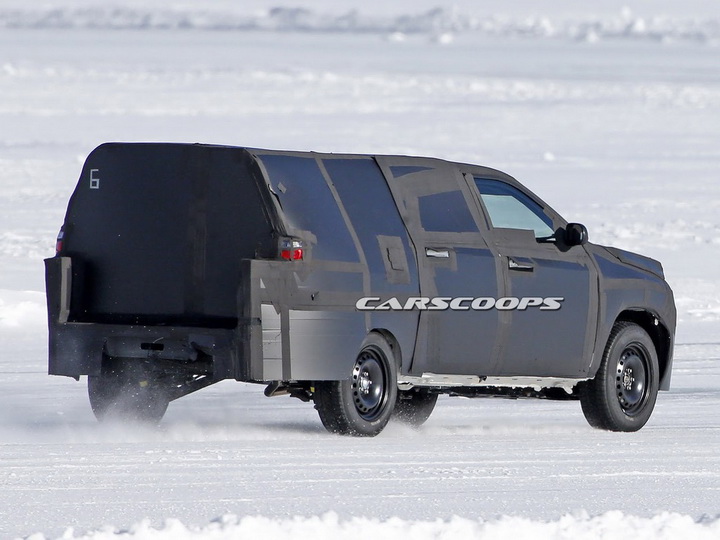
(437, 22)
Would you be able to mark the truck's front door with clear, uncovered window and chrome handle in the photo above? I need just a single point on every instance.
(550, 291)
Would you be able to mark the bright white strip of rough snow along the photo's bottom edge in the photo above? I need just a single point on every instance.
(330, 527)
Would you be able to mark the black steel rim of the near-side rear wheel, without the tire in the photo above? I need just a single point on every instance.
(369, 385)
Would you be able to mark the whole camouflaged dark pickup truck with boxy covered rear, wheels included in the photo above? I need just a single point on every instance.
(366, 284)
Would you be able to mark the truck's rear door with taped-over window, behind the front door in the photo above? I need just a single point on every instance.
(455, 266)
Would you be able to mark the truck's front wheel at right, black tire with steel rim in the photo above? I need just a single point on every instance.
(622, 395)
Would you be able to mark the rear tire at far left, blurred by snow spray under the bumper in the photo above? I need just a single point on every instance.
(126, 390)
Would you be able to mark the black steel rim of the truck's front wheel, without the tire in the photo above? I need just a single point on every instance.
(632, 378)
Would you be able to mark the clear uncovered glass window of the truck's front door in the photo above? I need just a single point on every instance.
(510, 208)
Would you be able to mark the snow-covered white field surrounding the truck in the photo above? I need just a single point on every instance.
(611, 113)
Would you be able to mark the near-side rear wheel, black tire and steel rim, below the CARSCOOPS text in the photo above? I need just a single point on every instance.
(361, 405)
